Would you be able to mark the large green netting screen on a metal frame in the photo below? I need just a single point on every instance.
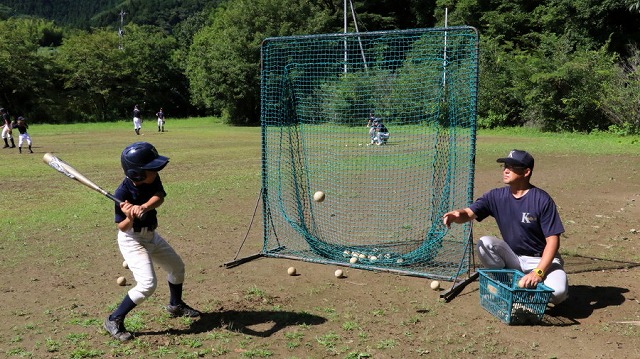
(384, 203)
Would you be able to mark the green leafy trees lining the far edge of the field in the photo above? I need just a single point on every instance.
(558, 65)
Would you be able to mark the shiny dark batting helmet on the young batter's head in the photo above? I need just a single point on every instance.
(141, 156)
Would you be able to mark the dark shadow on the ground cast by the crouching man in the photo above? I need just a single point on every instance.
(582, 302)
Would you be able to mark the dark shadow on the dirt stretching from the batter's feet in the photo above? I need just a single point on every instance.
(254, 323)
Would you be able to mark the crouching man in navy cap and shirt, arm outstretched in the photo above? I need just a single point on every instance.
(529, 224)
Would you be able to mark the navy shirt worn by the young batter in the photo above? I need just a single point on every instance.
(139, 195)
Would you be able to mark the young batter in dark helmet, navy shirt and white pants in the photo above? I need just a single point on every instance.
(141, 246)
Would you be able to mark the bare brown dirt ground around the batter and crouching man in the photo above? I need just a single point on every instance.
(54, 308)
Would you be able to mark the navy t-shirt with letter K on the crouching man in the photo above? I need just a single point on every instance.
(524, 222)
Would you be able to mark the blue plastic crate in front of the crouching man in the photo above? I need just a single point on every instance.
(501, 296)
